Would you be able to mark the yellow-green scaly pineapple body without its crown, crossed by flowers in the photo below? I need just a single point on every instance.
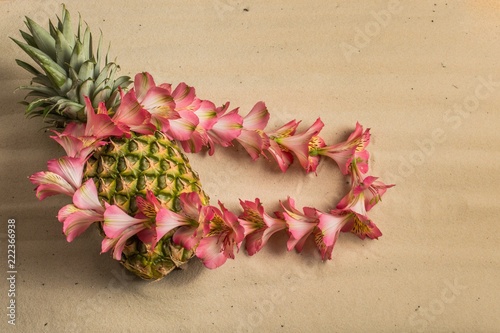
(128, 167)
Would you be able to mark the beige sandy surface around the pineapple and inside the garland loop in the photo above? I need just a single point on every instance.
(424, 75)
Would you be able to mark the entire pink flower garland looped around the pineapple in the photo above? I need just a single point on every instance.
(213, 232)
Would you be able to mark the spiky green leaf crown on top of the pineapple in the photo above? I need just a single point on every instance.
(69, 72)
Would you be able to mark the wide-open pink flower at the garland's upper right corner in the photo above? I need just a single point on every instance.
(354, 147)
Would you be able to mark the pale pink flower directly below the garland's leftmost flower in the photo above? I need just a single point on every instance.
(85, 210)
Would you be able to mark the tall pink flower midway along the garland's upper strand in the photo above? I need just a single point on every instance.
(252, 137)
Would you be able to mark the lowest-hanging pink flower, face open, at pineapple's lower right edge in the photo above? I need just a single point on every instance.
(221, 234)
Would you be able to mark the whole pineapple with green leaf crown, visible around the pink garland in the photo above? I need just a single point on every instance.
(124, 168)
